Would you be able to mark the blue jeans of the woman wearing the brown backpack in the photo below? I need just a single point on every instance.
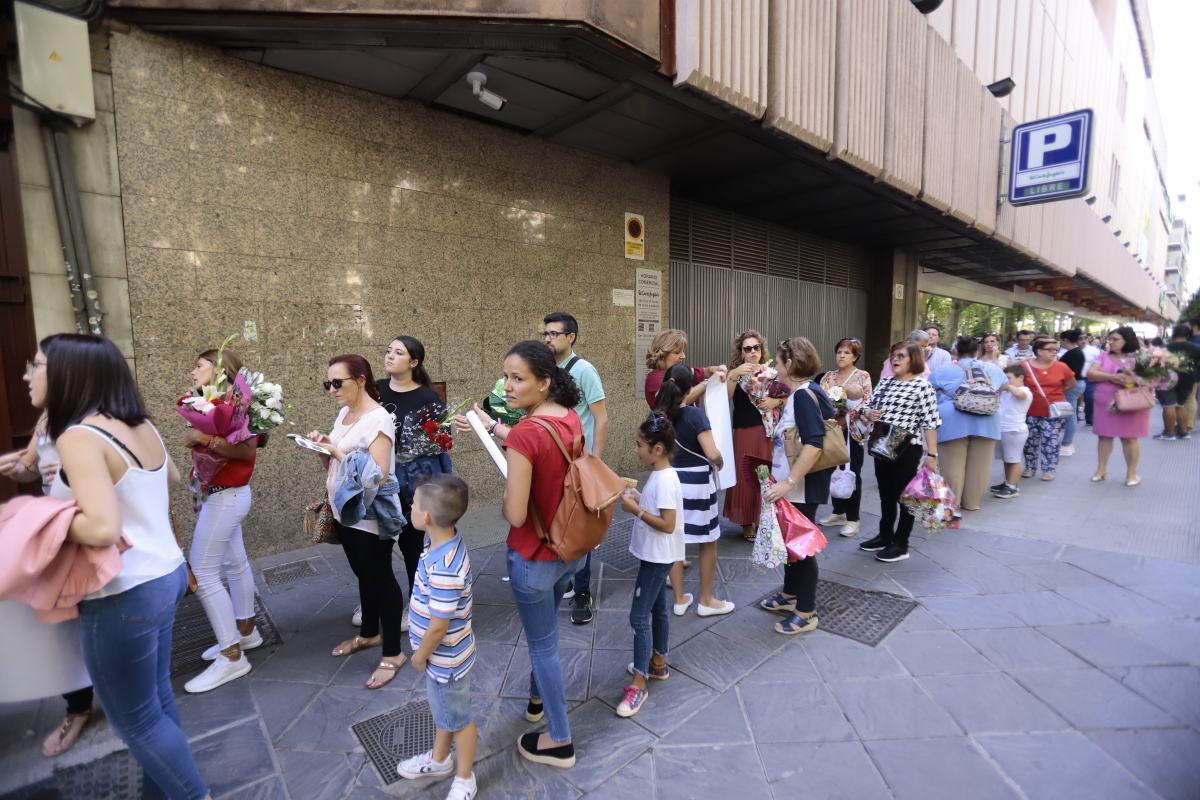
(538, 588)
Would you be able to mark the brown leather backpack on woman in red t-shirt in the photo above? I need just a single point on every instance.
(591, 491)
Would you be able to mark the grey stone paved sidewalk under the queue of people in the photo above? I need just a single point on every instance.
(1036, 666)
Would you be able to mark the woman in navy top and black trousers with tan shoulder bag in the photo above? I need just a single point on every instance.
(807, 410)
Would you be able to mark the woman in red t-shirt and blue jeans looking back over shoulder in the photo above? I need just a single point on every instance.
(537, 470)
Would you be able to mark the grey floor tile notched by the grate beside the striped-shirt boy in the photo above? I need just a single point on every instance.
(326, 725)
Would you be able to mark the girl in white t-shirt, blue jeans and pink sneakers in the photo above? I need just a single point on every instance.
(658, 544)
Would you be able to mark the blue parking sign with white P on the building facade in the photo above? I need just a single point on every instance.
(1051, 159)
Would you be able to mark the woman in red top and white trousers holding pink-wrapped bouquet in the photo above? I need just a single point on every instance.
(218, 545)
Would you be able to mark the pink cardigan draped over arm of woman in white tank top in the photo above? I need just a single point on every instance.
(41, 569)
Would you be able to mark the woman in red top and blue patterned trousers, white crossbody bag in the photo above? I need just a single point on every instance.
(1051, 381)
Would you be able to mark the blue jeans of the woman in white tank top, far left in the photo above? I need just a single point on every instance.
(127, 646)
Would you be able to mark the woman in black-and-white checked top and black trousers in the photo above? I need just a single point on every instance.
(909, 402)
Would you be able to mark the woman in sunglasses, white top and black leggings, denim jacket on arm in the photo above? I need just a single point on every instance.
(364, 424)
